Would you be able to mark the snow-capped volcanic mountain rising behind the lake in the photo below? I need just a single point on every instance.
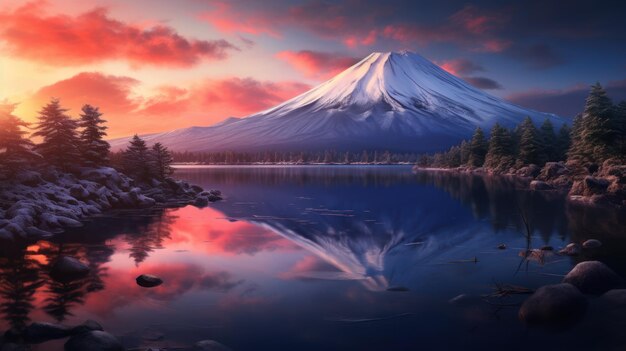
(387, 101)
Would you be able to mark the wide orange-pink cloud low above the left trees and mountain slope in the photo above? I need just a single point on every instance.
(202, 103)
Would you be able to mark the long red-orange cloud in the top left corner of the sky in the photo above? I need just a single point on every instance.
(29, 33)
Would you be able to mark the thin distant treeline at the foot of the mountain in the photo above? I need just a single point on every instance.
(271, 157)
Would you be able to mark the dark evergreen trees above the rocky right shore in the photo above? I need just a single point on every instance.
(596, 135)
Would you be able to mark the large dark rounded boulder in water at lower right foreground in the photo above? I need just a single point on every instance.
(554, 306)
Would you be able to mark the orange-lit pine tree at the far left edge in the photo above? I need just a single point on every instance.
(15, 149)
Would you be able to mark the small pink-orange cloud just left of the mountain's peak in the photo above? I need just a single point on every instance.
(315, 64)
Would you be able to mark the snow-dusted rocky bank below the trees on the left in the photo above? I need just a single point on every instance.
(36, 205)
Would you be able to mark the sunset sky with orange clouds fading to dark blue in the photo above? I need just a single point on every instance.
(158, 65)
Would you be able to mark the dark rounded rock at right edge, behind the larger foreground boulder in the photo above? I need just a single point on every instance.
(593, 277)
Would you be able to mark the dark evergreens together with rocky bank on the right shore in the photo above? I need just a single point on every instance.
(591, 154)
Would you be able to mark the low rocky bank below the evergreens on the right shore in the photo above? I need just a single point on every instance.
(590, 186)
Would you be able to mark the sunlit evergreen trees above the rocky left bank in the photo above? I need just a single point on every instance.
(69, 144)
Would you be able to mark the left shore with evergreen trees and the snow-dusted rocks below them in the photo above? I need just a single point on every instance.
(69, 176)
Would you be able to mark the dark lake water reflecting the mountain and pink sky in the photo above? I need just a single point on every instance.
(301, 258)
